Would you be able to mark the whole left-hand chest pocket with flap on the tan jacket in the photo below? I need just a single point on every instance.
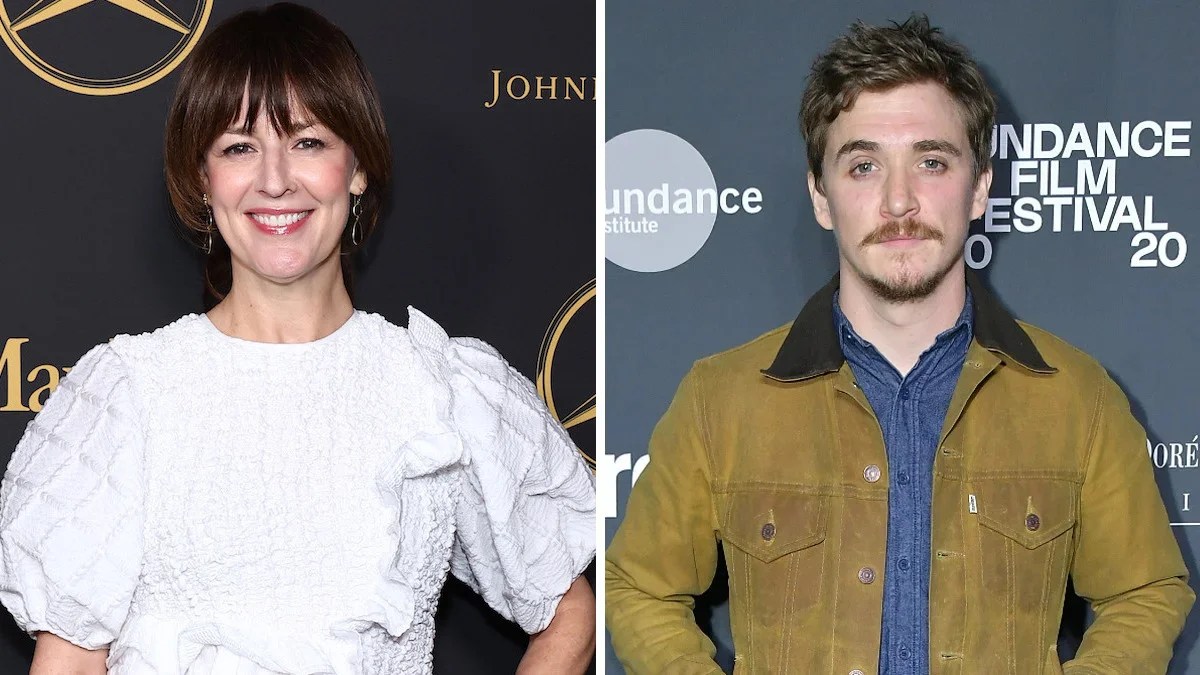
(773, 552)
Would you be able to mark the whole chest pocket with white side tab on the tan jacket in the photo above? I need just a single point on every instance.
(1027, 535)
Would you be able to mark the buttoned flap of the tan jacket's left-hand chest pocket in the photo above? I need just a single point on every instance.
(769, 525)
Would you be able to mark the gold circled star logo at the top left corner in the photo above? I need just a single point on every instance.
(189, 28)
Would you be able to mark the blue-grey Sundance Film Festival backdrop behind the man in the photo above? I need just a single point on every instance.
(1091, 230)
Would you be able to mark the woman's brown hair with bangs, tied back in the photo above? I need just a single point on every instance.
(273, 58)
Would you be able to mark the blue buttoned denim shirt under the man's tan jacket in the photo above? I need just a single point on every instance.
(911, 411)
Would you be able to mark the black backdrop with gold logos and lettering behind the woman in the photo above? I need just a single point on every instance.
(490, 230)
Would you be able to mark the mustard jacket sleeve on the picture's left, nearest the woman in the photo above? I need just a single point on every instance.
(665, 552)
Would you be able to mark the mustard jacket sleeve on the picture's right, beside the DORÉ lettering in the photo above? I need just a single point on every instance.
(1127, 561)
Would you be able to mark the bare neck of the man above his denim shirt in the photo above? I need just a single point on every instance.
(902, 332)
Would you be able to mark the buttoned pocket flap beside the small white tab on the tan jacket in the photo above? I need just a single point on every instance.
(1029, 511)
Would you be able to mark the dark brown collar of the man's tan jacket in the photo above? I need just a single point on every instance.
(812, 347)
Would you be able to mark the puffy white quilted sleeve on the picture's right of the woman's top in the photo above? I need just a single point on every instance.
(526, 523)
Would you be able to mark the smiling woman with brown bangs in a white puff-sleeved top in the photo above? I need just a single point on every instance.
(281, 485)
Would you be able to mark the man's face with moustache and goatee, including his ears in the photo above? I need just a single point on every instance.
(899, 190)
